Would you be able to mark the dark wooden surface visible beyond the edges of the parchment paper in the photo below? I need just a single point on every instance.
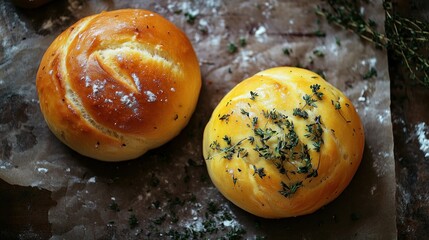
(24, 210)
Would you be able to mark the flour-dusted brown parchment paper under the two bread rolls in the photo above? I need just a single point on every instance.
(167, 193)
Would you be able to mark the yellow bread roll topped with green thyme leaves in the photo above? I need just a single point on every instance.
(283, 143)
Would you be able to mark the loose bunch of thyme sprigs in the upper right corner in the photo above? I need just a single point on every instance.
(407, 39)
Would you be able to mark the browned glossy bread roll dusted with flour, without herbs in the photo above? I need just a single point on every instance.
(117, 84)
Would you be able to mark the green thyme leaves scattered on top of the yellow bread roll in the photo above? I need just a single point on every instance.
(275, 140)
